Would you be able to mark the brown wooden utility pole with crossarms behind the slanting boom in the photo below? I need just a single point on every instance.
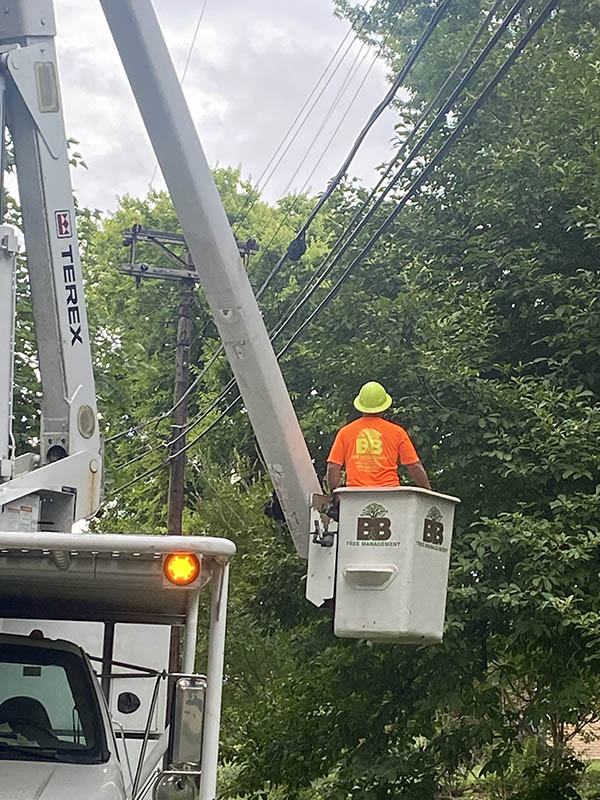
(184, 272)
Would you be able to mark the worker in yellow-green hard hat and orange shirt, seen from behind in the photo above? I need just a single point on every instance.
(371, 447)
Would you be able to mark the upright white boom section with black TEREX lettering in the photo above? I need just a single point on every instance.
(68, 480)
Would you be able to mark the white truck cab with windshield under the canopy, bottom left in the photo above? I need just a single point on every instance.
(56, 736)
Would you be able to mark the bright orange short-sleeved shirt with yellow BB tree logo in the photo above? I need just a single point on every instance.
(371, 448)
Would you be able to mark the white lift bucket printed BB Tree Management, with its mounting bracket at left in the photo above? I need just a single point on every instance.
(388, 566)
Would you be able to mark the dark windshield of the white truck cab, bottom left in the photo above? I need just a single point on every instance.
(48, 708)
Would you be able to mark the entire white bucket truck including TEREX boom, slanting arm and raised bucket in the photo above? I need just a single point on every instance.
(90, 673)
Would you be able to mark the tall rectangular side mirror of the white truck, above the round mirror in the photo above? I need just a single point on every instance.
(187, 723)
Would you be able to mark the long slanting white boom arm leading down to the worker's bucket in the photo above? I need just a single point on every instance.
(214, 252)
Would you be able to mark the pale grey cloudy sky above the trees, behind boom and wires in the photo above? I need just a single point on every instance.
(253, 66)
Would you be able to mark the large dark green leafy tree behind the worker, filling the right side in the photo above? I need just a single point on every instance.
(479, 313)
